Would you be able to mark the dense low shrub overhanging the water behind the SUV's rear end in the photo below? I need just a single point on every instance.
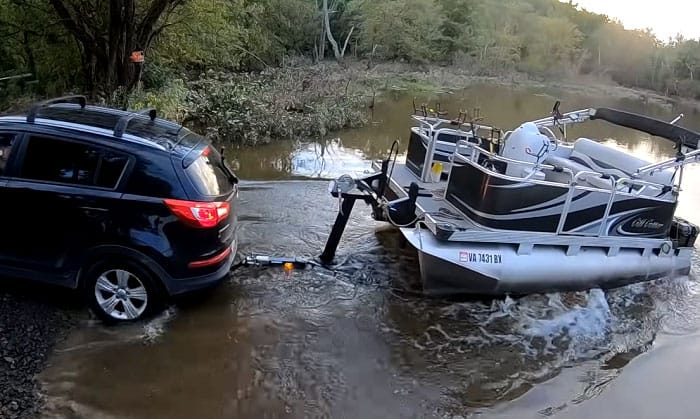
(281, 103)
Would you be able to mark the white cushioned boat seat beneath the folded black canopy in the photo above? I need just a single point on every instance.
(616, 163)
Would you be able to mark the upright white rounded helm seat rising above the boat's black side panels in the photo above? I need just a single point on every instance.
(526, 144)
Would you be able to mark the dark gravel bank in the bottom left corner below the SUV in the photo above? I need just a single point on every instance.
(30, 327)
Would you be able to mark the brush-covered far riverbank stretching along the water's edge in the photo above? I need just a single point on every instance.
(305, 101)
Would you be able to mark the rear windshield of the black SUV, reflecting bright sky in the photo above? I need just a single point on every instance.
(209, 174)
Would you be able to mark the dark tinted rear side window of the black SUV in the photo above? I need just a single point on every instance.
(61, 161)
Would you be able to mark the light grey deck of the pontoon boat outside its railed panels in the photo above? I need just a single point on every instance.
(438, 212)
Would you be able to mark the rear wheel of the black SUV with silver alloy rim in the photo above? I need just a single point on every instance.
(121, 292)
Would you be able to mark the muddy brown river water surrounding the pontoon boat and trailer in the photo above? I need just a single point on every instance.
(358, 341)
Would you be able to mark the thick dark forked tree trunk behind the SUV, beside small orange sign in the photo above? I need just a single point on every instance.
(108, 34)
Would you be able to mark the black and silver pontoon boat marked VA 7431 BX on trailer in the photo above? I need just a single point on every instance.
(527, 212)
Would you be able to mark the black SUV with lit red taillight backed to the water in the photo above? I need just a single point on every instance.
(129, 208)
